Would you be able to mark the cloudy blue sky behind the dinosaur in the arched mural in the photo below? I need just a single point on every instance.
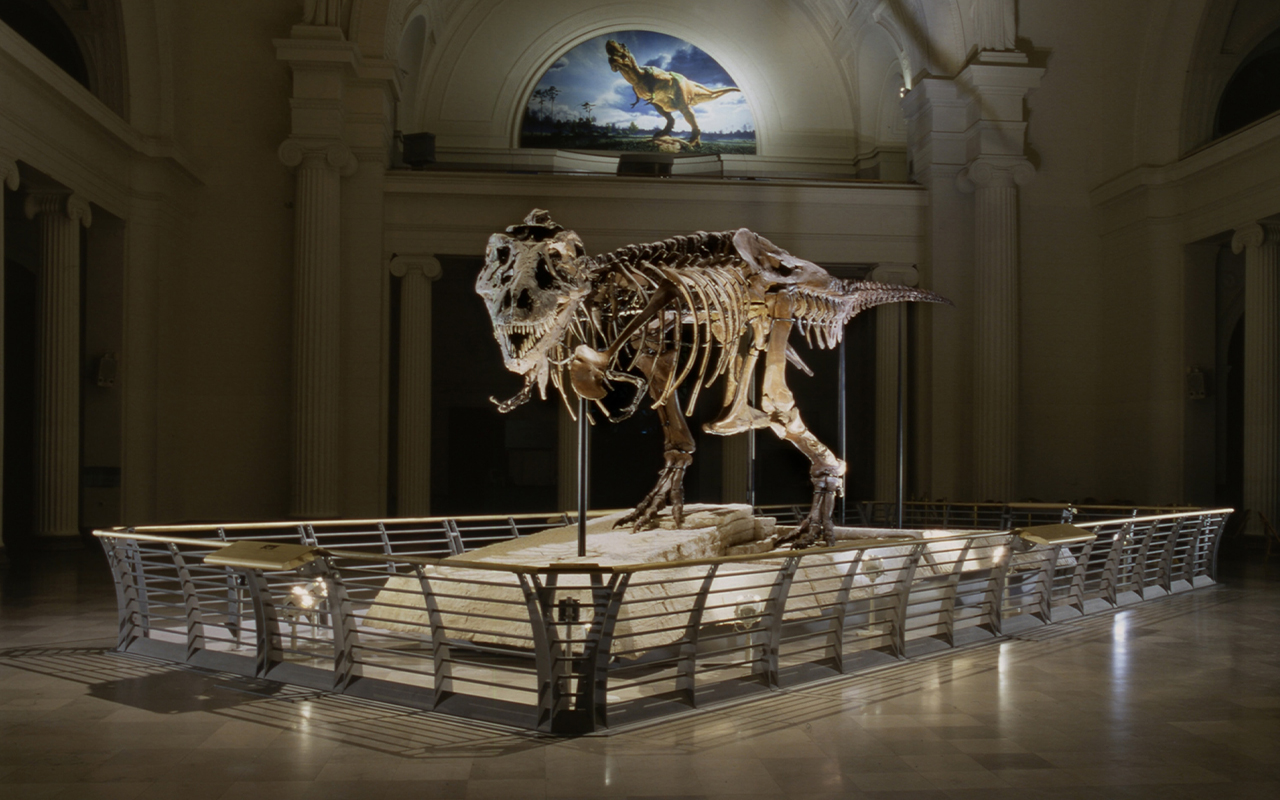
(583, 75)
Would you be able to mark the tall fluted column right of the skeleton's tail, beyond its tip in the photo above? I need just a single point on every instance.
(995, 359)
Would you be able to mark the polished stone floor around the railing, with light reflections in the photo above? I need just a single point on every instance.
(1177, 698)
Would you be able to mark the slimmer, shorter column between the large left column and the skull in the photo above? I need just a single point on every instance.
(414, 423)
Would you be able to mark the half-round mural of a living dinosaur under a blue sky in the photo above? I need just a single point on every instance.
(638, 92)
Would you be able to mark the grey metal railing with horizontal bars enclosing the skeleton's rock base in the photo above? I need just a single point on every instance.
(578, 648)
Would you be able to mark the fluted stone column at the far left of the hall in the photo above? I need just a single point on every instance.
(61, 217)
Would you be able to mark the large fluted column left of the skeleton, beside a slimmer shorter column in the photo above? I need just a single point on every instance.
(317, 305)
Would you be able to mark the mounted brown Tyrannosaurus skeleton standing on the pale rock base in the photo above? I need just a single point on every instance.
(679, 313)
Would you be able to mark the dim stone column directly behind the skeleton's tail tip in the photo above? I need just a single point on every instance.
(889, 321)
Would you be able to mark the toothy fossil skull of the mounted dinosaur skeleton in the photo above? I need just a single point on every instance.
(534, 277)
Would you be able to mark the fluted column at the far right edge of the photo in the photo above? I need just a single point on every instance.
(1260, 243)
